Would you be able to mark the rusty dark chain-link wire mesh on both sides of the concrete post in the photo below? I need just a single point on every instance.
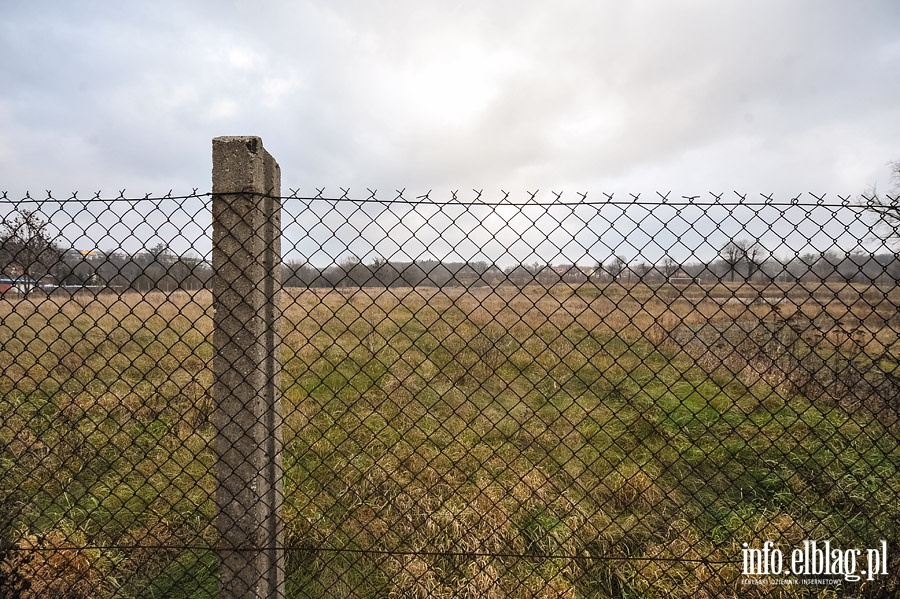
(530, 396)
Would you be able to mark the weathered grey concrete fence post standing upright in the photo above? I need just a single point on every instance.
(247, 393)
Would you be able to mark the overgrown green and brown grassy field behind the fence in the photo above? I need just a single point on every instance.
(591, 441)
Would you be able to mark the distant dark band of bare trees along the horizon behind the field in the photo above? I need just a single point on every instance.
(28, 252)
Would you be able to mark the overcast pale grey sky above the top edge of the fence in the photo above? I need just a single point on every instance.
(603, 96)
